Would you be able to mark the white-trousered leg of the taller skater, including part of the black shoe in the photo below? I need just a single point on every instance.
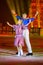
(26, 36)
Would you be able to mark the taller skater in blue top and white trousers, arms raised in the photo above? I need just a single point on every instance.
(26, 21)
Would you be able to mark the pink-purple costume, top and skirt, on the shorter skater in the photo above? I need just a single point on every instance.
(19, 35)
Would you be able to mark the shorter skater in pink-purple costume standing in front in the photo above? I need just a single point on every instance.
(19, 39)
